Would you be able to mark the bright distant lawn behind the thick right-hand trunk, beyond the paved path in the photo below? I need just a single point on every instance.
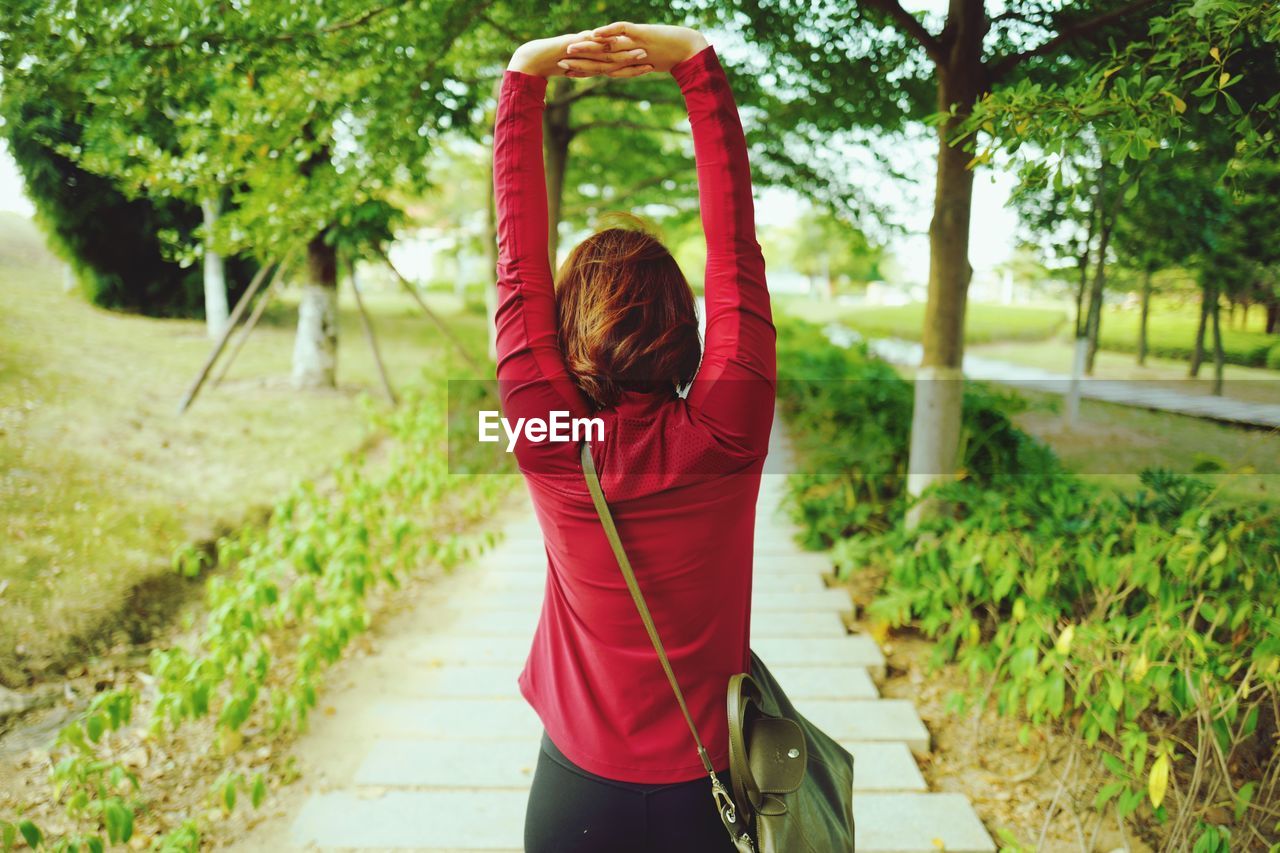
(982, 322)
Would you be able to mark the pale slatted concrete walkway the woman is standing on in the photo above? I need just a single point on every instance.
(431, 747)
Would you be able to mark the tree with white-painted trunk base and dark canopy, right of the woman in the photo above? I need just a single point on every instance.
(876, 65)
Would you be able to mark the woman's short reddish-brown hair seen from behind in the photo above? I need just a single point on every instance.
(627, 317)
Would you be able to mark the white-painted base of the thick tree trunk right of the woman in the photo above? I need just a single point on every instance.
(935, 427)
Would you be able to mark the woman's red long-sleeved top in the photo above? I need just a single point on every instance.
(682, 475)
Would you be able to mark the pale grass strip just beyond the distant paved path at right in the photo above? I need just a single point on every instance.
(1254, 385)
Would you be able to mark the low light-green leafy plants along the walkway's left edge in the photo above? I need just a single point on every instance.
(294, 599)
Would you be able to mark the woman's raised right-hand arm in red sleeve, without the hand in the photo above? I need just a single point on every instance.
(735, 387)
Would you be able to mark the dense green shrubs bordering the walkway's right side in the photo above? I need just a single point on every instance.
(1146, 626)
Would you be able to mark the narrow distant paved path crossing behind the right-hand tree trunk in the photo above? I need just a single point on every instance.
(1155, 395)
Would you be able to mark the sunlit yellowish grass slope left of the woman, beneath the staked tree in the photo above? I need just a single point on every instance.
(102, 480)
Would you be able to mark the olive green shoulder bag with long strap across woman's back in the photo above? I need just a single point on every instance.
(793, 787)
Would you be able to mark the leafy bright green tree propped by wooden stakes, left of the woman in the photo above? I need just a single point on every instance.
(312, 116)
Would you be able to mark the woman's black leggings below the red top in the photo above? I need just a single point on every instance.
(574, 811)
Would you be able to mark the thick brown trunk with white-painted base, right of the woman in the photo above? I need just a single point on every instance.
(936, 421)
